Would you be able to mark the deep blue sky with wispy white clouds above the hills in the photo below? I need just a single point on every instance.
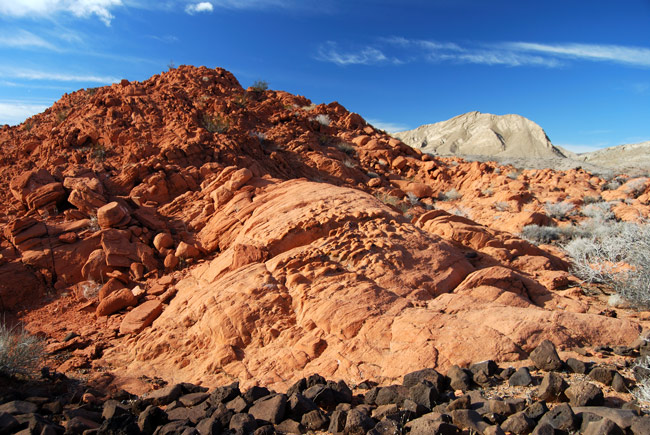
(580, 69)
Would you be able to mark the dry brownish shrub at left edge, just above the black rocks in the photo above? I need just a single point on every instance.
(20, 352)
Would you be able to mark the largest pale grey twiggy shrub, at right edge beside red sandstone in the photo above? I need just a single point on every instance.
(616, 254)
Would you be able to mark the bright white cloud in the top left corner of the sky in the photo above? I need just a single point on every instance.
(47, 8)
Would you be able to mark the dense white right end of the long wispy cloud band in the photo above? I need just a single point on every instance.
(637, 56)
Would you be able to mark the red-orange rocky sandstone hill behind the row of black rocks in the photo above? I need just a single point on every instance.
(189, 229)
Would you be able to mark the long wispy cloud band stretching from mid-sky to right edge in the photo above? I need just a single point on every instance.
(511, 54)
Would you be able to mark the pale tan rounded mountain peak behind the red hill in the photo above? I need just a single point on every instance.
(482, 134)
